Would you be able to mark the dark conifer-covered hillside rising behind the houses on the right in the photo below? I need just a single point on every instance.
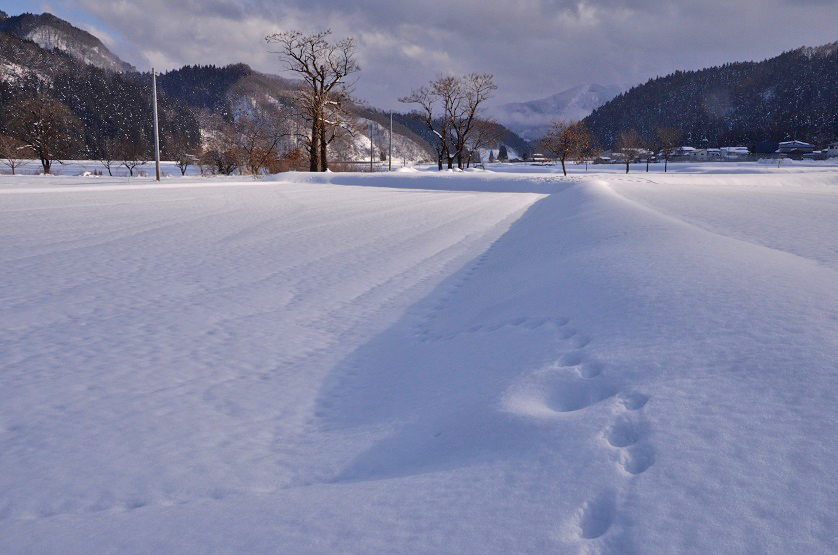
(792, 96)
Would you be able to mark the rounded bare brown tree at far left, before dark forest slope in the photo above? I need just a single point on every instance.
(45, 125)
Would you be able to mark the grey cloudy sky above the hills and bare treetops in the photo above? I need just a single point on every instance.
(534, 48)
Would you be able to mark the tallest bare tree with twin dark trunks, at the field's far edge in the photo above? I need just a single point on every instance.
(325, 68)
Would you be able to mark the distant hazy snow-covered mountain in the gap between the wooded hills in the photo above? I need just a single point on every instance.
(531, 119)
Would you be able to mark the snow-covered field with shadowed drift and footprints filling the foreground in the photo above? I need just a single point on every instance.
(415, 362)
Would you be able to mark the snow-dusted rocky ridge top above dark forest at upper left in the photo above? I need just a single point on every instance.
(50, 32)
